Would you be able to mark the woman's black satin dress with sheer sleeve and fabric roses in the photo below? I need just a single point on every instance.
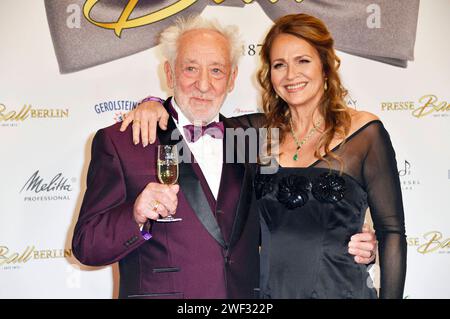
(309, 214)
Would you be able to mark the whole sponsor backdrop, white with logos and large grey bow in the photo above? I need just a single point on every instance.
(63, 77)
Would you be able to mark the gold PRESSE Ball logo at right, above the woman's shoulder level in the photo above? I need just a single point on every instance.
(427, 106)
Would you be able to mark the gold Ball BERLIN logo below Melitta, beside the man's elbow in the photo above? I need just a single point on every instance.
(10, 259)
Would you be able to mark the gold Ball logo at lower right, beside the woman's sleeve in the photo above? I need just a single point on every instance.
(431, 242)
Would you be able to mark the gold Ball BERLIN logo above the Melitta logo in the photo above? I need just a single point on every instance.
(13, 117)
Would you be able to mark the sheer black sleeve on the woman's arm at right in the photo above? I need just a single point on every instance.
(381, 179)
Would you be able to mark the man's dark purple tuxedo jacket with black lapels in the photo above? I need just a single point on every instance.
(211, 253)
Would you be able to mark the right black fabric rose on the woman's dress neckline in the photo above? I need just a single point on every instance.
(328, 188)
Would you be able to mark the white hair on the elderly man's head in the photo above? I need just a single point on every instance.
(169, 37)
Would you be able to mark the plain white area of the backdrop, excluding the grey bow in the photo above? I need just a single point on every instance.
(42, 223)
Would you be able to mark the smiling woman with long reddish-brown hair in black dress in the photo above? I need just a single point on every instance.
(335, 162)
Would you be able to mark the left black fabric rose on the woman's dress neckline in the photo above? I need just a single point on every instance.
(293, 191)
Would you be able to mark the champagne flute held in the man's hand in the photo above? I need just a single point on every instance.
(167, 167)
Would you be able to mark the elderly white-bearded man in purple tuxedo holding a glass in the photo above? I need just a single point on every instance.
(213, 251)
